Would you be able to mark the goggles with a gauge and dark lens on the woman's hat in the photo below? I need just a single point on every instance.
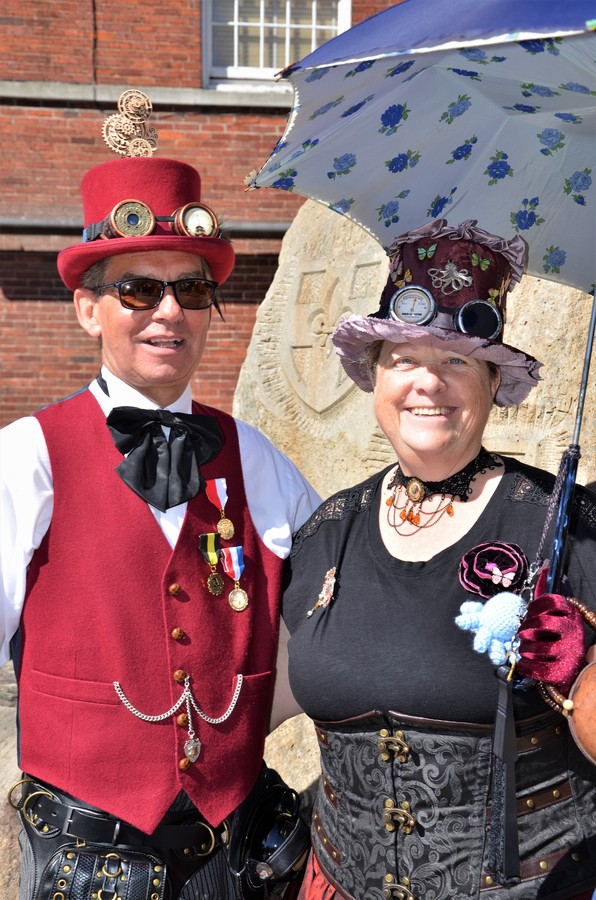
(415, 305)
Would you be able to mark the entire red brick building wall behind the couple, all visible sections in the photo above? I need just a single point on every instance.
(47, 145)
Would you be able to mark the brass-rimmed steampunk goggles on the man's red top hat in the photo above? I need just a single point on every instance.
(133, 218)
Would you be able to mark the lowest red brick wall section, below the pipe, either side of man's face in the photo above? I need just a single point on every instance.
(46, 355)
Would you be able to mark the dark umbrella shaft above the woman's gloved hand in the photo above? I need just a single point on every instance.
(562, 524)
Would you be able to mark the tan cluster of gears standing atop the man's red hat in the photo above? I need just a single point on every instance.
(126, 132)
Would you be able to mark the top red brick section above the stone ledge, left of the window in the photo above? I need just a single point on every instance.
(132, 42)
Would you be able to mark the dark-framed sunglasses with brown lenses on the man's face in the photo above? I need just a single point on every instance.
(147, 293)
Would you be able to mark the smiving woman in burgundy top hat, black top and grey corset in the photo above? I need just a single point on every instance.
(407, 603)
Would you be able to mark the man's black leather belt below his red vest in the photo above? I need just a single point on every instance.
(40, 806)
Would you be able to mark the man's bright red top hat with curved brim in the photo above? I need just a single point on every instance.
(162, 185)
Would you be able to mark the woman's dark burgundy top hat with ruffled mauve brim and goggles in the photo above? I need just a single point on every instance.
(448, 285)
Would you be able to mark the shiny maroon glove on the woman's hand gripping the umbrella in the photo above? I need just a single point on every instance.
(552, 643)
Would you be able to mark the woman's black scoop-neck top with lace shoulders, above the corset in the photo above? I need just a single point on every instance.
(388, 640)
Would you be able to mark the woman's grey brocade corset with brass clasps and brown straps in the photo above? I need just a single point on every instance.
(403, 810)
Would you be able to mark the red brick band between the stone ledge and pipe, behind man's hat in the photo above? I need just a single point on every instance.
(51, 148)
